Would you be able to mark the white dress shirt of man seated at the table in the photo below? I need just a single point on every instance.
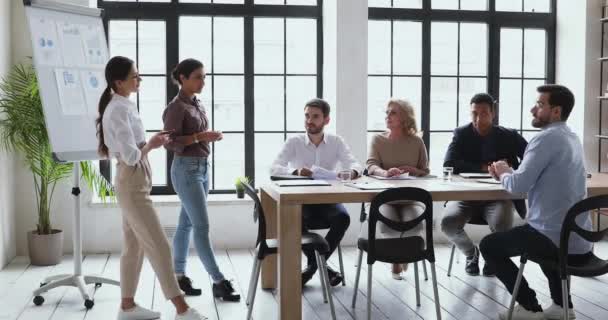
(299, 152)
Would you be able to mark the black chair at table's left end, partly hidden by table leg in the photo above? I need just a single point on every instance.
(266, 247)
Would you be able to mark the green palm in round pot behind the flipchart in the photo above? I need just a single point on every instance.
(23, 130)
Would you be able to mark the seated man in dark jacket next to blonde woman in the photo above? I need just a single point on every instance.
(473, 148)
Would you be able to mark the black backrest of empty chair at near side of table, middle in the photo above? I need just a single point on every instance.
(401, 194)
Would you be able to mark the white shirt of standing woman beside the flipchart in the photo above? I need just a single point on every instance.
(123, 130)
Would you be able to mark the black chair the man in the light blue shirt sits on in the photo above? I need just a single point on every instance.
(592, 267)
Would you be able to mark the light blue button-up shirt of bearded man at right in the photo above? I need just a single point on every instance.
(553, 174)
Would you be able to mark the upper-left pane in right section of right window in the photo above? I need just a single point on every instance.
(510, 52)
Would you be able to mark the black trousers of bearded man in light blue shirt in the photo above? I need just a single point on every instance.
(497, 249)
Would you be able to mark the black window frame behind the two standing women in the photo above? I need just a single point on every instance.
(169, 12)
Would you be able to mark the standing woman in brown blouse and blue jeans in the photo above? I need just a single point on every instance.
(188, 121)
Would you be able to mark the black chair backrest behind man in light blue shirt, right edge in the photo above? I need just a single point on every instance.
(569, 226)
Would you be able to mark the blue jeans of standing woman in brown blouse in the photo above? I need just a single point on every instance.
(191, 182)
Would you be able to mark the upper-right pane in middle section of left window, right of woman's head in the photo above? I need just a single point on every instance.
(228, 45)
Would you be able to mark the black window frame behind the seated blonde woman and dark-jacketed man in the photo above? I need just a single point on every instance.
(495, 20)
